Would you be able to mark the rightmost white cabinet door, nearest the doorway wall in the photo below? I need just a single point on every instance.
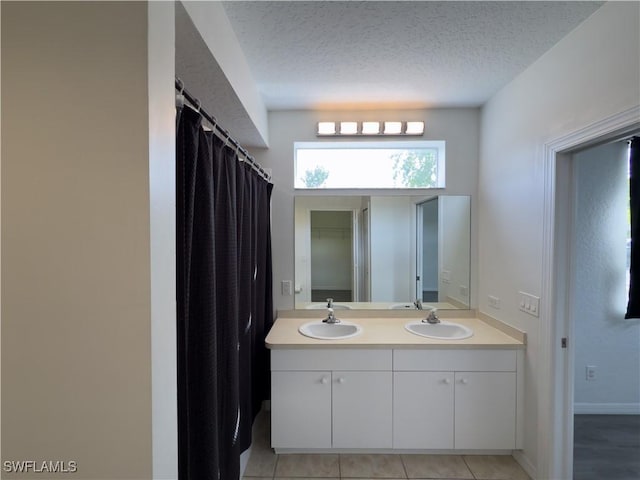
(485, 410)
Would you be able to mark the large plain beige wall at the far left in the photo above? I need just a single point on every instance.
(76, 291)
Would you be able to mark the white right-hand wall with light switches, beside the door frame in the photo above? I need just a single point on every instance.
(591, 74)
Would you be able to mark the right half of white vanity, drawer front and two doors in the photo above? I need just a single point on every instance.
(460, 399)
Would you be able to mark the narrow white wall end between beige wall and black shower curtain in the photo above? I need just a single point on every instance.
(162, 207)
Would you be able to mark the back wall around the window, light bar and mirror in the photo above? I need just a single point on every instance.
(458, 127)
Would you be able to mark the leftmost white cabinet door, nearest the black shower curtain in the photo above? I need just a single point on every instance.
(301, 409)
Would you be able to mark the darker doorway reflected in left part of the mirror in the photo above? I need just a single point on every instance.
(332, 245)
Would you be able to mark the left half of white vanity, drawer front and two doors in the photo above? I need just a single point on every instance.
(331, 398)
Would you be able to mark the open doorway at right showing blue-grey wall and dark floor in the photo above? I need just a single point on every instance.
(606, 376)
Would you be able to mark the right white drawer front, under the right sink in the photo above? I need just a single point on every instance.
(455, 360)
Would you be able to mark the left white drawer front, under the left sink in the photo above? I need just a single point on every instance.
(331, 359)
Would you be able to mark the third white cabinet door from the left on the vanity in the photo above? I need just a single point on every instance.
(423, 410)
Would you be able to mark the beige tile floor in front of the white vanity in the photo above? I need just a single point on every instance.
(264, 464)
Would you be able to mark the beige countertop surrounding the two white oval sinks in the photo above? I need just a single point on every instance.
(389, 332)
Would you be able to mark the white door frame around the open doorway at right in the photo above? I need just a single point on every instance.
(555, 374)
